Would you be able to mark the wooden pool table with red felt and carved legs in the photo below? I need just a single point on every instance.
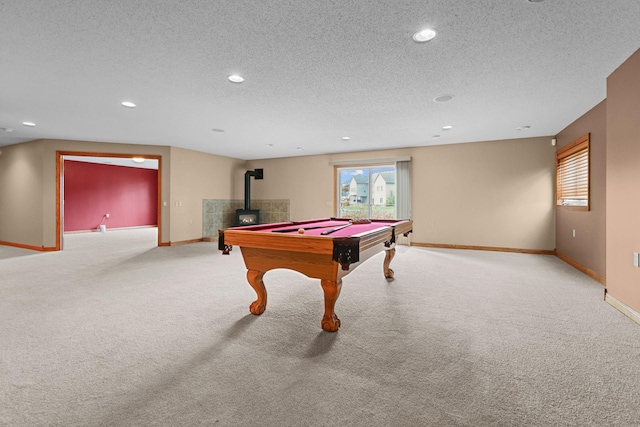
(327, 249)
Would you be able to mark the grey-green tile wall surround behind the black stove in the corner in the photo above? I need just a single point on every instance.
(220, 213)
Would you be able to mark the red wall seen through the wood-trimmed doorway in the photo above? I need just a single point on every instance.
(91, 190)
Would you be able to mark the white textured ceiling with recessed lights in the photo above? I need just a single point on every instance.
(315, 71)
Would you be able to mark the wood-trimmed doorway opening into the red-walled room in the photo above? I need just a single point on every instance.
(108, 190)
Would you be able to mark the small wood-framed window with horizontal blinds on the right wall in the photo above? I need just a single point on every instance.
(572, 175)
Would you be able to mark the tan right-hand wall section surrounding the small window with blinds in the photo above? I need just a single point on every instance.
(588, 247)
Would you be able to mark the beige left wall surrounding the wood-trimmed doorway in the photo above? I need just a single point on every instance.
(28, 188)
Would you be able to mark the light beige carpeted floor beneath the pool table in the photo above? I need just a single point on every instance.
(114, 331)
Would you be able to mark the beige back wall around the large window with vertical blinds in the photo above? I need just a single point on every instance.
(492, 194)
